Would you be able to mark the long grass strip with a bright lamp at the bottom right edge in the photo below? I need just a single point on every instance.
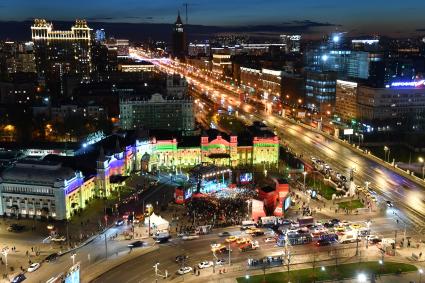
(343, 271)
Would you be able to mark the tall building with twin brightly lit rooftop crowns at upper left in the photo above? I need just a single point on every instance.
(60, 54)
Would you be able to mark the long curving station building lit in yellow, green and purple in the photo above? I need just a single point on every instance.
(58, 186)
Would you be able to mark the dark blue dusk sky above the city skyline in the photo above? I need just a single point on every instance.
(387, 16)
